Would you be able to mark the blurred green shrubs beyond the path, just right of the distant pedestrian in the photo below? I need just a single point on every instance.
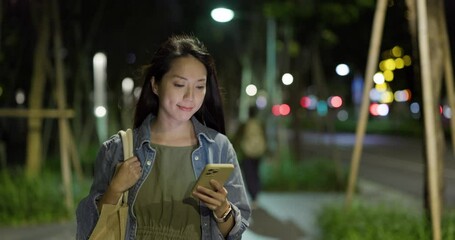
(308, 175)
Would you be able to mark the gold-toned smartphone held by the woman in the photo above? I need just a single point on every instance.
(217, 171)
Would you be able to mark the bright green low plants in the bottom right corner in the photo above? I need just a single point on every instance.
(378, 222)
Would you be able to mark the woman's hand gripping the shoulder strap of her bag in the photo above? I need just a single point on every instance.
(127, 175)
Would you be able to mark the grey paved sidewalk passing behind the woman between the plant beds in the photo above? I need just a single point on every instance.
(280, 215)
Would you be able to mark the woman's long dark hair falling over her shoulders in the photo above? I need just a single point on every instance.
(211, 112)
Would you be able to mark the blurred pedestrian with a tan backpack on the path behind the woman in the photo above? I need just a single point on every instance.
(253, 146)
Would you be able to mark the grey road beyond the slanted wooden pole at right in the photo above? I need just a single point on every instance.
(393, 161)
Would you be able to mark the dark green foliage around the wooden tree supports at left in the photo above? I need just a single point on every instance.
(34, 201)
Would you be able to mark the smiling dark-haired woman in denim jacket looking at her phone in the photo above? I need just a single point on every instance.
(178, 129)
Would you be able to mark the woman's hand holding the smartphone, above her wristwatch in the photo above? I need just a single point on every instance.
(215, 200)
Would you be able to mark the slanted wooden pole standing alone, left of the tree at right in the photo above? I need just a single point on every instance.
(372, 63)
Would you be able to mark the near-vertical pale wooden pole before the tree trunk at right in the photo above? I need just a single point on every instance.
(429, 110)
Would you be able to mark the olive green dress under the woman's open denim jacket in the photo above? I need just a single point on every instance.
(164, 207)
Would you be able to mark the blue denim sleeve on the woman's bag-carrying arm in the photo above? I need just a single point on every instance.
(87, 211)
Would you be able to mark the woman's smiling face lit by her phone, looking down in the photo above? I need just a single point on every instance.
(182, 89)
